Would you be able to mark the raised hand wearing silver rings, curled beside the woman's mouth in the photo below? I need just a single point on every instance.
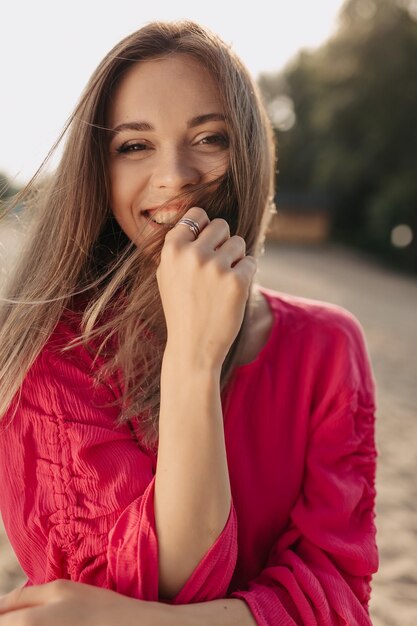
(204, 286)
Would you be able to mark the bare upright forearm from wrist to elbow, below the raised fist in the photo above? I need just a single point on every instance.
(192, 490)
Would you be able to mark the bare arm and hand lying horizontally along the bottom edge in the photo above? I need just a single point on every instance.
(65, 603)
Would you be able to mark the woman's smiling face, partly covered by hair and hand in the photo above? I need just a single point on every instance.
(168, 134)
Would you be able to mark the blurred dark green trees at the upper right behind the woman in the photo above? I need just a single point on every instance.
(355, 136)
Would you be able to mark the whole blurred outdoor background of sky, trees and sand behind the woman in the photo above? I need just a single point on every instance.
(340, 84)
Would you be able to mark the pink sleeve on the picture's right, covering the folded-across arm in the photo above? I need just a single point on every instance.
(319, 569)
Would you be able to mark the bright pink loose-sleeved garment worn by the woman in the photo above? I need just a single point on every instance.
(299, 544)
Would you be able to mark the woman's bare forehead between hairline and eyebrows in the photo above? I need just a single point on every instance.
(177, 83)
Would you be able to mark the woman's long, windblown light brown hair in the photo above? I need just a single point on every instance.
(78, 259)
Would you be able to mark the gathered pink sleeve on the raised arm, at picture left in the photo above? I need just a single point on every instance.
(77, 493)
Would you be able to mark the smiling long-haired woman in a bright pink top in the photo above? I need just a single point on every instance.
(173, 431)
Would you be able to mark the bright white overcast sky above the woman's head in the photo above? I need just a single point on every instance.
(49, 48)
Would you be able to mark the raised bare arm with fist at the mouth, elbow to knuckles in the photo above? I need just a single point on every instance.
(204, 286)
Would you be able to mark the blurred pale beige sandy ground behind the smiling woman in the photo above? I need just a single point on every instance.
(386, 305)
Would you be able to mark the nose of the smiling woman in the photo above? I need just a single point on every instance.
(175, 170)
